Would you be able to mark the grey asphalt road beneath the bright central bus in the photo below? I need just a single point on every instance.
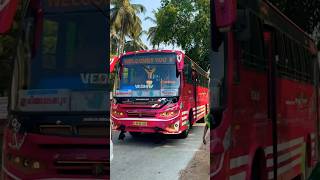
(145, 158)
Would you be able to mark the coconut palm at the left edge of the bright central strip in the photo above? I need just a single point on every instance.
(124, 20)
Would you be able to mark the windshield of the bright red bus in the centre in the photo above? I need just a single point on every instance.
(149, 75)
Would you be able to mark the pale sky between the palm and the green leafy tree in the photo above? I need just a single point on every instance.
(150, 5)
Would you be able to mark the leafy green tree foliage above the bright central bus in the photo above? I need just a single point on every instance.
(186, 24)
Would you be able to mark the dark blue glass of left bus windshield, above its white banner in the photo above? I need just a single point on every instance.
(72, 54)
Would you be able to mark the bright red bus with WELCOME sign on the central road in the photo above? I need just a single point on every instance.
(158, 92)
